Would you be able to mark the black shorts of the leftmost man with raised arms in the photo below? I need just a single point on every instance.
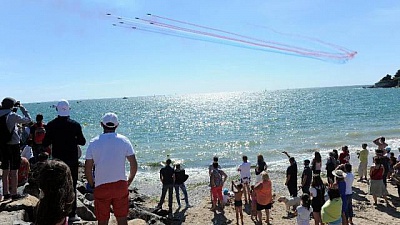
(11, 157)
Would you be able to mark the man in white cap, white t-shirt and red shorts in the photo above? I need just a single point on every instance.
(109, 152)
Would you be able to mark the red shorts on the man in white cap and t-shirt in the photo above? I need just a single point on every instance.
(111, 194)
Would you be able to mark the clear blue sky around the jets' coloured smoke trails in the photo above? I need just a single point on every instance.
(69, 49)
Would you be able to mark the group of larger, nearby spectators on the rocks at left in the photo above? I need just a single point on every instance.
(25, 145)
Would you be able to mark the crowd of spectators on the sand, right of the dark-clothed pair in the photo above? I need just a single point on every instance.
(327, 202)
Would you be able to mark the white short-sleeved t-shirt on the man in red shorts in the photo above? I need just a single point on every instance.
(109, 152)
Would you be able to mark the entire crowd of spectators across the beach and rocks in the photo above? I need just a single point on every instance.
(26, 146)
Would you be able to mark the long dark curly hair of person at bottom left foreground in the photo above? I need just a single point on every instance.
(55, 182)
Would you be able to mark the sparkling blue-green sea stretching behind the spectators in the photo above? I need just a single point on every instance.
(192, 129)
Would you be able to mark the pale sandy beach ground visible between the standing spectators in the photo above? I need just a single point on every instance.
(365, 212)
